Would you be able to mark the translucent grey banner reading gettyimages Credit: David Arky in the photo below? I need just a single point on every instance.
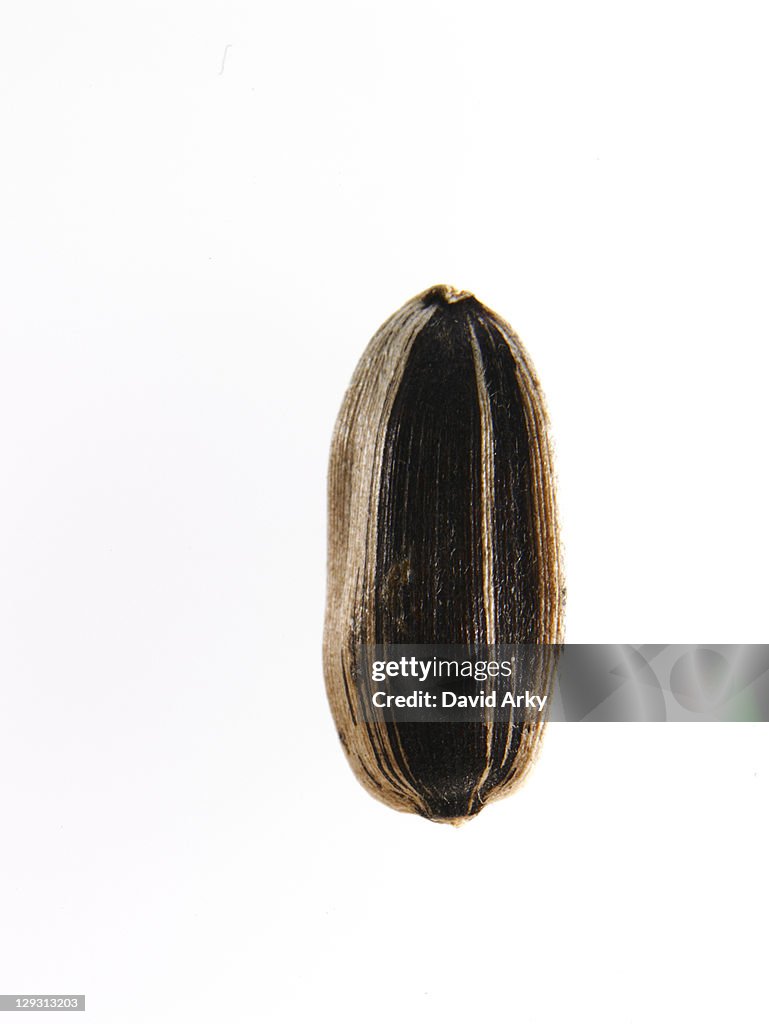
(569, 684)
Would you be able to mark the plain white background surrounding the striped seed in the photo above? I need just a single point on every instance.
(196, 247)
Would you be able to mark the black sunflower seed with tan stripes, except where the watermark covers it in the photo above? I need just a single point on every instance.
(443, 530)
